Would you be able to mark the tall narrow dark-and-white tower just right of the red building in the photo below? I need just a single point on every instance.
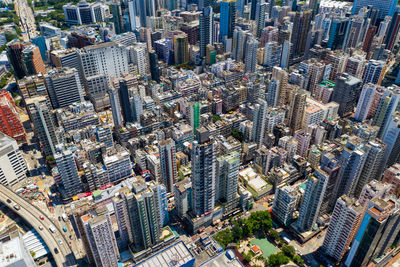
(44, 124)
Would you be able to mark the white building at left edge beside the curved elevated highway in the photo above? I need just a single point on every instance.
(12, 166)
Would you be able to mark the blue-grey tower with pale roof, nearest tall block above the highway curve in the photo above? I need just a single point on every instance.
(68, 173)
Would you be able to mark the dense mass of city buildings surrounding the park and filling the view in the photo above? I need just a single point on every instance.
(152, 111)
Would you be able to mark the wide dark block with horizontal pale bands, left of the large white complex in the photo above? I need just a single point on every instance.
(64, 87)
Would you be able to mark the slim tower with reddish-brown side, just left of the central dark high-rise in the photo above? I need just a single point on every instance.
(169, 171)
